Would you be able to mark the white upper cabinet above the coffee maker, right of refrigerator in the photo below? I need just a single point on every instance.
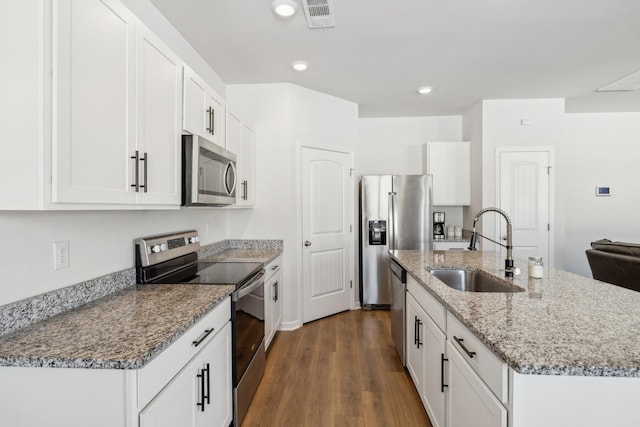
(450, 165)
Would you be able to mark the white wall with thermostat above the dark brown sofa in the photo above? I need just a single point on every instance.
(598, 149)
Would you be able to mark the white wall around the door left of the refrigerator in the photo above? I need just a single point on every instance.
(285, 115)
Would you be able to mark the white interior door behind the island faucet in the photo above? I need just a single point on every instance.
(524, 194)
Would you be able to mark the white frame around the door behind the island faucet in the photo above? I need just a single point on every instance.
(550, 150)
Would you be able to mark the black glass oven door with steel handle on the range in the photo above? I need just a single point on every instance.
(249, 324)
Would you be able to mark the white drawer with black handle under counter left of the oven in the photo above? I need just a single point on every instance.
(157, 373)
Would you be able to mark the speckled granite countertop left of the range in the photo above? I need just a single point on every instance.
(124, 330)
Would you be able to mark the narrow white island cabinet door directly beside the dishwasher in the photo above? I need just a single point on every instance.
(415, 349)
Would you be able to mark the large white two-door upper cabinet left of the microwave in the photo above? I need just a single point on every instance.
(93, 112)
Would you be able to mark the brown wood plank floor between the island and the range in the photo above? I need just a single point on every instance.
(338, 371)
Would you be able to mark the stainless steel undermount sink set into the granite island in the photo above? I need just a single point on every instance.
(469, 280)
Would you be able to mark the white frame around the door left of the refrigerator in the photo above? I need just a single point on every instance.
(306, 144)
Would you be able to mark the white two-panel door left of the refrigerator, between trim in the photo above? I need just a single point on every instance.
(327, 212)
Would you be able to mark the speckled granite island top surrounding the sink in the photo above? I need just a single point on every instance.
(563, 324)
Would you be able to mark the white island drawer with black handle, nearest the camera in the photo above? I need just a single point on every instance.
(487, 365)
